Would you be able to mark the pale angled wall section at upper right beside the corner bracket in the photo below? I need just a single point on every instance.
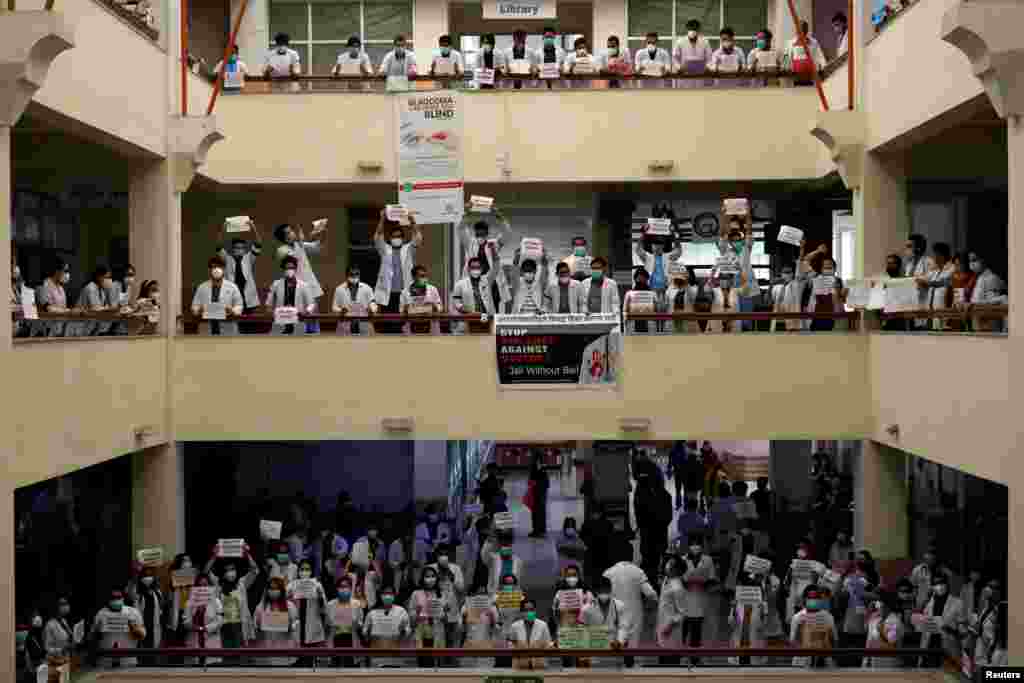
(912, 75)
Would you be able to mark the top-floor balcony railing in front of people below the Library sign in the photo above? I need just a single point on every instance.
(364, 84)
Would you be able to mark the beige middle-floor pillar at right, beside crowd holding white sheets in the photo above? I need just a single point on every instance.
(882, 212)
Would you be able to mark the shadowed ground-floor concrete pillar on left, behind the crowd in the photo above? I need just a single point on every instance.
(159, 499)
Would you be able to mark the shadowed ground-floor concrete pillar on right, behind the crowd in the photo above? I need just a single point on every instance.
(881, 523)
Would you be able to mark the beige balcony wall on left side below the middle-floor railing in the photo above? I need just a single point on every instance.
(79, 404)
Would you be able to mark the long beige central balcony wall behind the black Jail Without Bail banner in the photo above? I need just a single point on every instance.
(717, 388)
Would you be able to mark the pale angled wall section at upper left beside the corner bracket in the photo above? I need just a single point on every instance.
(115, 78)
